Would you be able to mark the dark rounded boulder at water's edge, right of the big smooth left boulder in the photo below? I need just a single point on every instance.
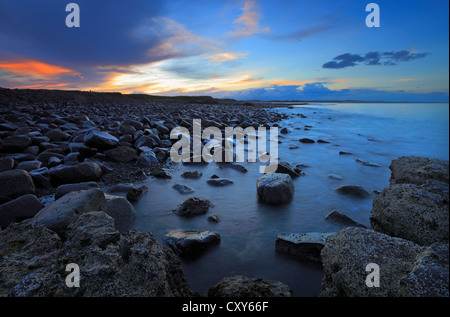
(121, 211)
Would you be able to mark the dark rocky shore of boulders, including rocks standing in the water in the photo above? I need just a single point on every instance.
(64, 158)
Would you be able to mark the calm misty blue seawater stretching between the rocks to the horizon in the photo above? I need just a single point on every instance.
(377, 133)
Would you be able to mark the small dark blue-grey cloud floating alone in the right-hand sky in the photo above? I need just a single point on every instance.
(373, 58)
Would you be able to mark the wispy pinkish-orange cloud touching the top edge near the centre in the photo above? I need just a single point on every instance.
(248, 22)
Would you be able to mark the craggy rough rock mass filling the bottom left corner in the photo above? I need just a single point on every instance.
(33, 261)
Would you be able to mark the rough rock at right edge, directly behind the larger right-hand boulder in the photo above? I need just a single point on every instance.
(417, 170)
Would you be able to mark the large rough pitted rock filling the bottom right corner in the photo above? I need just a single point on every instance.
(406, 269)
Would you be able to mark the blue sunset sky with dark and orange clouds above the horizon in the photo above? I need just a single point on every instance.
(241, 49)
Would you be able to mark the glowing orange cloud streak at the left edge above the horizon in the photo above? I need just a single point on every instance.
(36, 69)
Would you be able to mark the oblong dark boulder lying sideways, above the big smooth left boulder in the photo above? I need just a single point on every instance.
(82, 172)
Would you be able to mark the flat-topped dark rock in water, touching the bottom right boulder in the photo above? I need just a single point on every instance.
(306, 246)
